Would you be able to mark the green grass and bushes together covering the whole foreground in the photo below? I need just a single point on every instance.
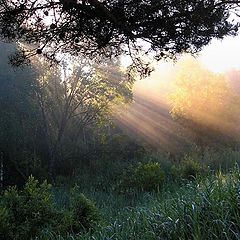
(154, 199)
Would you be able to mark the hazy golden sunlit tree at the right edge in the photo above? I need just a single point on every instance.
(205, 105)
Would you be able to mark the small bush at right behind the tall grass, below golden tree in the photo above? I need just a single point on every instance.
(188, 169)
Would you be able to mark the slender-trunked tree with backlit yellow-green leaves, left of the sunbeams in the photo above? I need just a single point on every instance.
(72, 103)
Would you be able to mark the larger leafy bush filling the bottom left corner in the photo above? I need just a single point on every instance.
(25, 213)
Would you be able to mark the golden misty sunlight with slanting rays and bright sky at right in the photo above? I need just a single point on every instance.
(203, 93)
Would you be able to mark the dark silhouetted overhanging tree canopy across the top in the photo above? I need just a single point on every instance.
(113, 27)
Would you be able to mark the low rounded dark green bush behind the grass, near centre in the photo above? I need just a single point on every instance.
(145, 177)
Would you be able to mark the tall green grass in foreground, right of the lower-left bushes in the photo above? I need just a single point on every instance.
(208, 208)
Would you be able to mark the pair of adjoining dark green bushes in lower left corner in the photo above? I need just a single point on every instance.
(25, 214)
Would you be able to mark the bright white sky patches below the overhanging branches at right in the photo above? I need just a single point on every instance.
(218, 56)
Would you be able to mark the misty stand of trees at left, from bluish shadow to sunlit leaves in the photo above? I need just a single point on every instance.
(36, 135)
